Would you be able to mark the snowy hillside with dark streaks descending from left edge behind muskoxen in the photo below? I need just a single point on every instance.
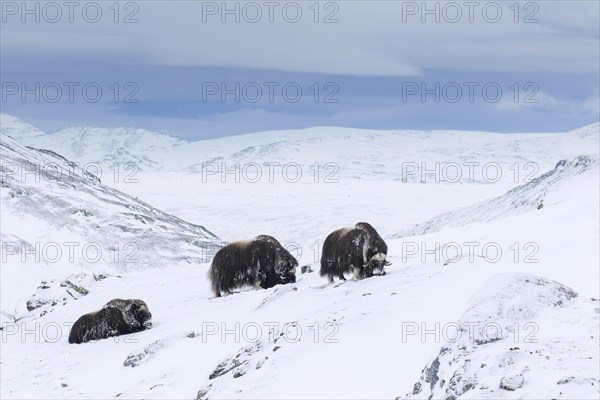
(61, 225)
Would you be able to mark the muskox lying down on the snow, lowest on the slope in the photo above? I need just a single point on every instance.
(117, 317)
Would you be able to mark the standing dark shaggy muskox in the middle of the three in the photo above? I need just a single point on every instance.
(262, 262)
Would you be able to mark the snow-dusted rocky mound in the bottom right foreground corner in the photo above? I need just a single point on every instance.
(521, 336)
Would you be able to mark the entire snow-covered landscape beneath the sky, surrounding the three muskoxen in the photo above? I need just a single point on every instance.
(492, 292)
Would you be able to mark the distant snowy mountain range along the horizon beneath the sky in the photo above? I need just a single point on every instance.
(457, 156)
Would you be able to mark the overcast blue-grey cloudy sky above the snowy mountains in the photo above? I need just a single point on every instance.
(198, 69)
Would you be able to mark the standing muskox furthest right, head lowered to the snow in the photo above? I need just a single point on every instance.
(359, 250)
